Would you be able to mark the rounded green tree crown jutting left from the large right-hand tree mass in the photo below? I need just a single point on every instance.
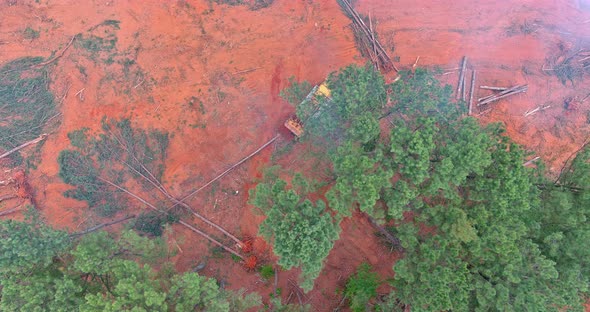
(302, 232)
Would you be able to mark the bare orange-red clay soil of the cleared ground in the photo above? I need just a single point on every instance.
(235, 62)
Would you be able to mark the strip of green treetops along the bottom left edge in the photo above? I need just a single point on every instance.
(100, 273)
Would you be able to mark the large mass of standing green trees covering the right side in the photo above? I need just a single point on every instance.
(499, 236)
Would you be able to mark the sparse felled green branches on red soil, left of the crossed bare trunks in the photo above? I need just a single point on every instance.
(116, 155)
